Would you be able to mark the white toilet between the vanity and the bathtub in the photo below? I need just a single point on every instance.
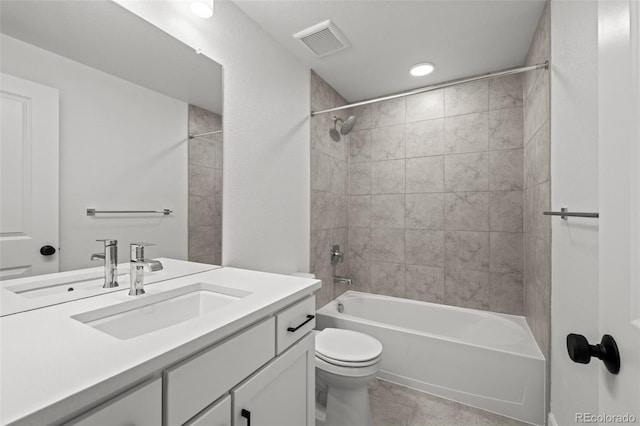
(346, 362)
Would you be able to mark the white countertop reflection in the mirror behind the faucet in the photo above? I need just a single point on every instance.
(12, 302)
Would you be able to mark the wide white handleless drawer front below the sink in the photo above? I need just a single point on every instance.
(198, 381)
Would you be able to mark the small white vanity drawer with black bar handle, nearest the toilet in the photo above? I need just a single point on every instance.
(294, 322)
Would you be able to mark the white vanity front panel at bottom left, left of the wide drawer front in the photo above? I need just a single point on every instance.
(140, 406)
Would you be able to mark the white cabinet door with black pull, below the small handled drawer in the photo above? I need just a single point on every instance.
(282, 393)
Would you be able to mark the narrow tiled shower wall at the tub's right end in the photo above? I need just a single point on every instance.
(537, 188)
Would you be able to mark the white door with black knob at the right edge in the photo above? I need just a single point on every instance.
(619, 161)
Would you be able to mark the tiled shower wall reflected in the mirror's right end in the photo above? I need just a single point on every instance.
(205, 187)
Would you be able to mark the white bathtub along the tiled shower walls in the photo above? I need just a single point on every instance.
(483, 359)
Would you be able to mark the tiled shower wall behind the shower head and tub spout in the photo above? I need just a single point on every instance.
(329, 185)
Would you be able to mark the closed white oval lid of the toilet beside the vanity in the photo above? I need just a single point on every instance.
(347, 345)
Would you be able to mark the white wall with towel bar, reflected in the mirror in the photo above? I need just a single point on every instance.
(122, 147)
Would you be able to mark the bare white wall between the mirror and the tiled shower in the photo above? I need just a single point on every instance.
(266, 183)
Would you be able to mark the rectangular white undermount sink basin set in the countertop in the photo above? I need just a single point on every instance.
(154, 312)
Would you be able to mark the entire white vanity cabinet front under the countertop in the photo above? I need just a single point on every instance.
(262, 375)
